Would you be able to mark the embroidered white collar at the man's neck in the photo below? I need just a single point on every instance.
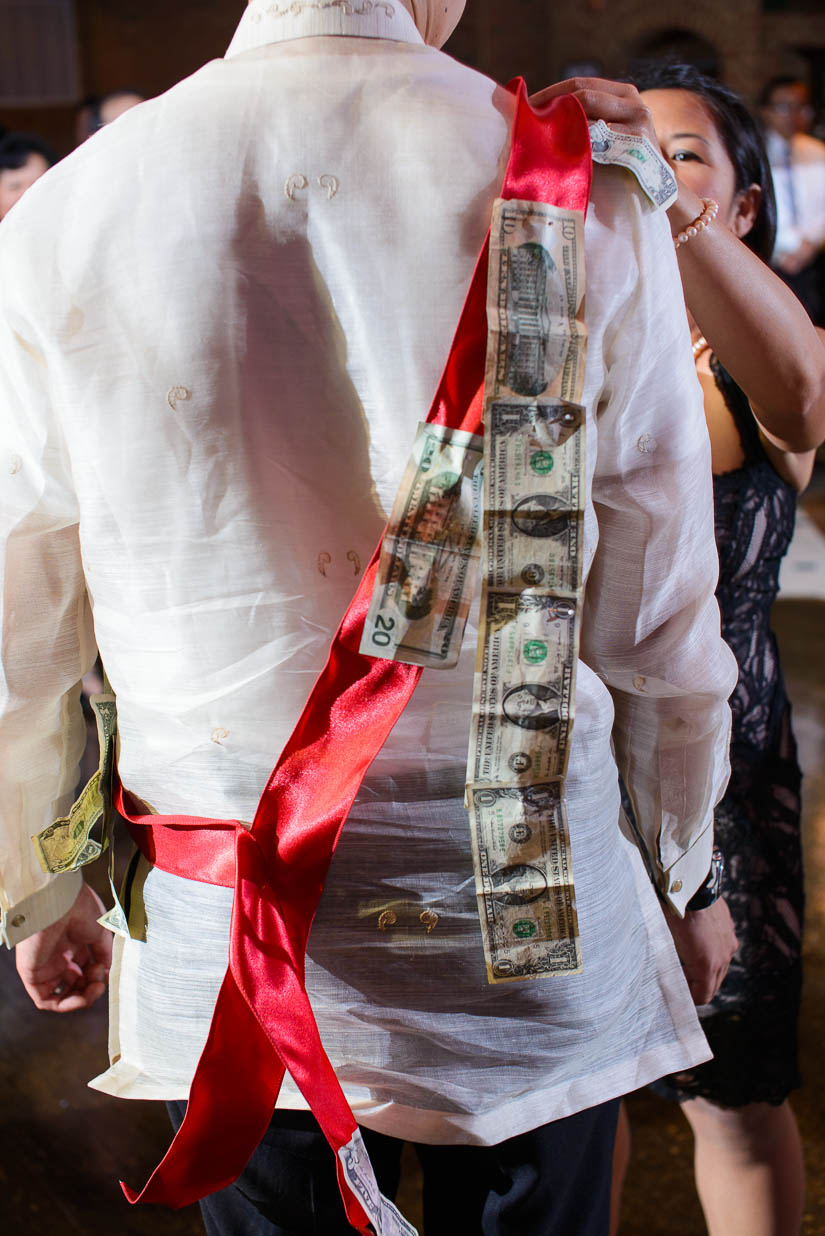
(275, 22)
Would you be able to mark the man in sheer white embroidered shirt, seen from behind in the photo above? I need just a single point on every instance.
(221, 322)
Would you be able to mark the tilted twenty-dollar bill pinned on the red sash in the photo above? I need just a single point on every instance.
(430, 553)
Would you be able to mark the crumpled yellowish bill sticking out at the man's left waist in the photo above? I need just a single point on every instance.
(67, 844)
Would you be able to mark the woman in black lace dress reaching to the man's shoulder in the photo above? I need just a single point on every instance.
(763, 371)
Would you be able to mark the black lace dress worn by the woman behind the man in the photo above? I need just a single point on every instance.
(751, 1025)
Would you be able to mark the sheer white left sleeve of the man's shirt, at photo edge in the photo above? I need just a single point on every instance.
(45, 624)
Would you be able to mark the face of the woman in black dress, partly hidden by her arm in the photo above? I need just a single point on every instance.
(696, 151)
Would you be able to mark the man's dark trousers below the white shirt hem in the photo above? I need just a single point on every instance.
(554, 1181)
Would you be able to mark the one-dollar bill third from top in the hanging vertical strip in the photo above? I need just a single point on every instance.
(523, 703)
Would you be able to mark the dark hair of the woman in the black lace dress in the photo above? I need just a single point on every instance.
(742, 137)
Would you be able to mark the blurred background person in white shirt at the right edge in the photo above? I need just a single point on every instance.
(798, 167)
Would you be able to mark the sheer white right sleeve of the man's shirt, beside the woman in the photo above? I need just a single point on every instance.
(651, 625)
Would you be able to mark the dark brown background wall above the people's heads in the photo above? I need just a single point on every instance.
(149, 45)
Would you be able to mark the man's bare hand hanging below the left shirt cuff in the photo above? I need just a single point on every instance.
(65, 967)
